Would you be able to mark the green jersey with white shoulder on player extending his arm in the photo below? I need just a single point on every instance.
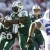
(27, 22)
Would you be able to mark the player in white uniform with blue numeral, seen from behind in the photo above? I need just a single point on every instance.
(44, 24)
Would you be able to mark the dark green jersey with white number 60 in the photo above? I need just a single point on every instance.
(8, 33)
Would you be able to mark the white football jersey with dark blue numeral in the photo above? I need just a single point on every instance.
(45, 27)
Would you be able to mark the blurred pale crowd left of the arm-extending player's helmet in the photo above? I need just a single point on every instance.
(5, 6)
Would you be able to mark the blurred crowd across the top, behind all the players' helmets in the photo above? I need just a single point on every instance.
(5, 5)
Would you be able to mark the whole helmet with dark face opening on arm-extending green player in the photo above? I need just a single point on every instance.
(17, 6)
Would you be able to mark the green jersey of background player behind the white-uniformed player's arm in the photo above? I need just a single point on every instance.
(38, 35)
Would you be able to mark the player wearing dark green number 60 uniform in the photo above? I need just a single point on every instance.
(8, 33)
